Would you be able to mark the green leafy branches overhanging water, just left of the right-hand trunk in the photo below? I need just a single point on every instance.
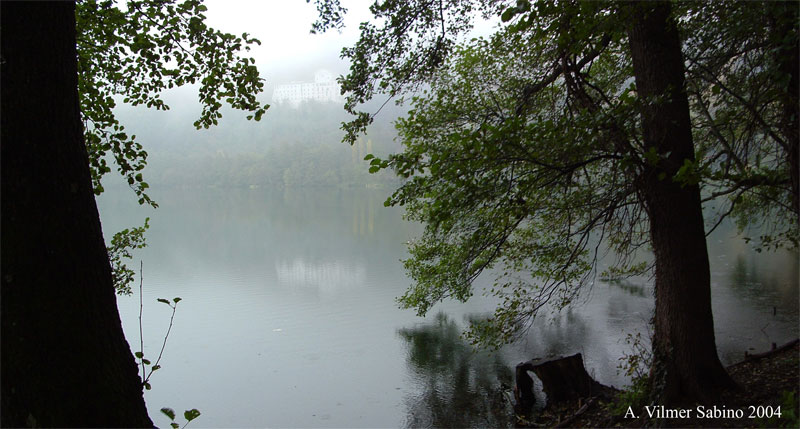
(510, 172)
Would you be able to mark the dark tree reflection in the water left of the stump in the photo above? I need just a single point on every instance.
(457, 387)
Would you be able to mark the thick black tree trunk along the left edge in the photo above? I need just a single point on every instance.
(65, 361)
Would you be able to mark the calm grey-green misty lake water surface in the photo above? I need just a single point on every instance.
(288, 315)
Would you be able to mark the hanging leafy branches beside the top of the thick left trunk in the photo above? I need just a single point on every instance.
(136, 52)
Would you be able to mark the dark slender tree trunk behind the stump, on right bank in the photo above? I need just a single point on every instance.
(686, 366)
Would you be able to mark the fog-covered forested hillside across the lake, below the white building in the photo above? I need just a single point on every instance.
(289, 147)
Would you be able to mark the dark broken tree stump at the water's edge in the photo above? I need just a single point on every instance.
(563, 379)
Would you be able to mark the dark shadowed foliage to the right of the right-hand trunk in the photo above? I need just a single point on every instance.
(742, 74)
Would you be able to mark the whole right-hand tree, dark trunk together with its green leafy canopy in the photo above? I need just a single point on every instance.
(559, 138)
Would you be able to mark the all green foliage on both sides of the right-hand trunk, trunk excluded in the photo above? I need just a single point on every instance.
(523, 154)
